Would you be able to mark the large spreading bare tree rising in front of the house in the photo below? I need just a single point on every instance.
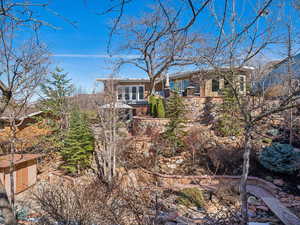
(154, 45)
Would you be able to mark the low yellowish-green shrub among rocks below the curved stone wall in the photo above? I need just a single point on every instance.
(191, 197)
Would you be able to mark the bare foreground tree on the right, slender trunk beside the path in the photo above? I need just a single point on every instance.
(235, 50)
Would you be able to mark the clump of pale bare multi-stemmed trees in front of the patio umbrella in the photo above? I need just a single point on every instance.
(112, 117)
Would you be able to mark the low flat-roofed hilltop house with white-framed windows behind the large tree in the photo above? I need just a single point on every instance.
(201, 83)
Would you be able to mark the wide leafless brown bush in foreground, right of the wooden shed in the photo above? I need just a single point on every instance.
(94, 203)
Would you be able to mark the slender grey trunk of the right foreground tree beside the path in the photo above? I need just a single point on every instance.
(243, 183)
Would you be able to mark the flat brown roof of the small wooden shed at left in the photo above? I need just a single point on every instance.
(5, 160)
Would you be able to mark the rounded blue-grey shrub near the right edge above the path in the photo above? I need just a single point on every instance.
(279, 158)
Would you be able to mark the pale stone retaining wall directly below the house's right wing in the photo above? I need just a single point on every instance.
(198, 107)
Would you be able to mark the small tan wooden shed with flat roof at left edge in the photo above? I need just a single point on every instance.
(25, 171)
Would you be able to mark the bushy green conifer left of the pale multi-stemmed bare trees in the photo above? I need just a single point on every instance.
(78, 144)
